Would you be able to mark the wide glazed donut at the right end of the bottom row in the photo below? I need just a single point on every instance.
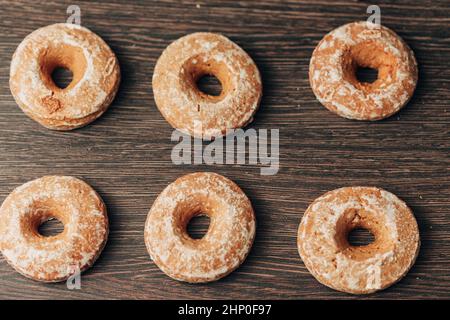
(324, 248)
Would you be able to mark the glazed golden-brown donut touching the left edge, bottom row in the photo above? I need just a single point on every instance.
(53, 258)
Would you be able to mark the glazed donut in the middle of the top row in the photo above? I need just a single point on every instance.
(192, 111)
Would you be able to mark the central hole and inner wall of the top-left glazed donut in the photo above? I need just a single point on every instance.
(65, 57)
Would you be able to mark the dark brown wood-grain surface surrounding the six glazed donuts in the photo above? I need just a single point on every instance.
(125, 155)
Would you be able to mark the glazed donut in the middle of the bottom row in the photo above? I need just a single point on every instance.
(227, 242)
